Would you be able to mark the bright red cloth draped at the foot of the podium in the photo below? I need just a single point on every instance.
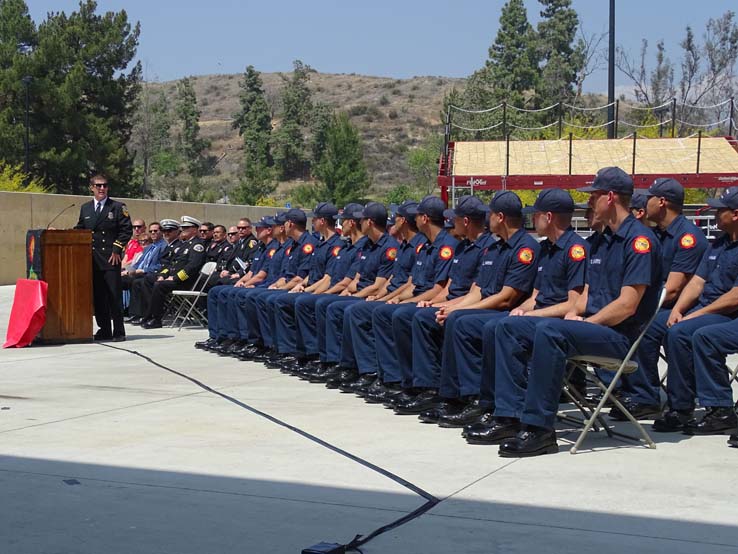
(28, 315)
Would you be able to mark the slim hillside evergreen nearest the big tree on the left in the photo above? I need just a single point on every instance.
(191, 145)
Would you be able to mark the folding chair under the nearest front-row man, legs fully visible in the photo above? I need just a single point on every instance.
(620, 367)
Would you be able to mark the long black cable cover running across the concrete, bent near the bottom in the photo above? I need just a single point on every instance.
(359, 540)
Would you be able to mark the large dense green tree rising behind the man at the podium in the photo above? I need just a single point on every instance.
(83, 92)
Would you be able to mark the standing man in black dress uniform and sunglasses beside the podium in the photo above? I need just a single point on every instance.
(111, 229)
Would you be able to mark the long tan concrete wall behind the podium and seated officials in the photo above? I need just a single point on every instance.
(20, 211)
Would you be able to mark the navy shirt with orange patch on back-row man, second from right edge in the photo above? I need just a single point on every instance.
(682, 244)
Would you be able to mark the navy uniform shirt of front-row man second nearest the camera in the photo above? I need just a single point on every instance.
(562, 266)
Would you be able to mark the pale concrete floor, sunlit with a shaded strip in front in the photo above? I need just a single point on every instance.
(103, 452)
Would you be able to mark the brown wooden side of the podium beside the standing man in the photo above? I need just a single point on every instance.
(66, 261)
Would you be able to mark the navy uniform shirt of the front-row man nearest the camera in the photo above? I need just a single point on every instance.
(631, 256)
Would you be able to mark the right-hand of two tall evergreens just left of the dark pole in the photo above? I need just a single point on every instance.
(561, 55)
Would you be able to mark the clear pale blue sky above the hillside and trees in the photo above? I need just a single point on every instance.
(386, 38)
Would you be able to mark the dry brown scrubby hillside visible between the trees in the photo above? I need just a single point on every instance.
(393, 115)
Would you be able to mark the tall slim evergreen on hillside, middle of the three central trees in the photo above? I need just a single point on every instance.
(288, 144)
